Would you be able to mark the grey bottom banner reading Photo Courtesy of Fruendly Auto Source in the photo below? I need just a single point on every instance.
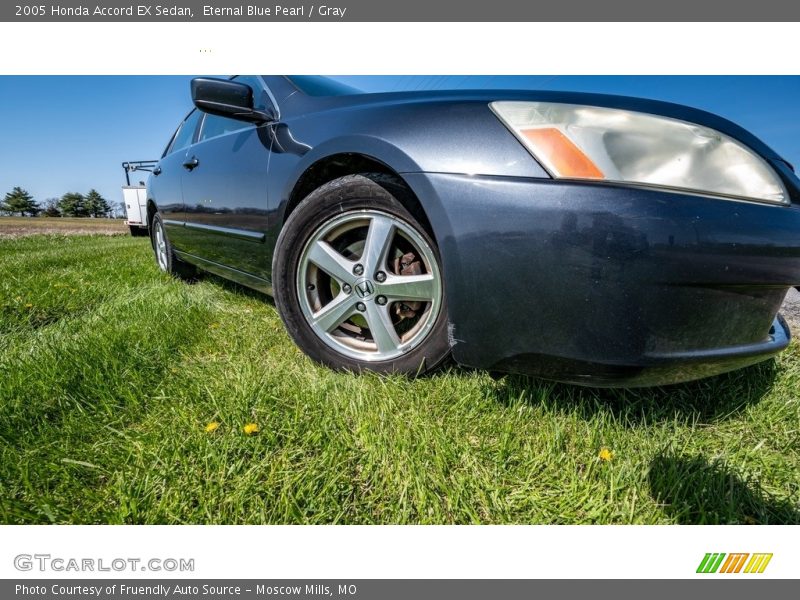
(398, 589)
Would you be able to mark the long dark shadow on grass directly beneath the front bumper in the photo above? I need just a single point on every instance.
(706, 400)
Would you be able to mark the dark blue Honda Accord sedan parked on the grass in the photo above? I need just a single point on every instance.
(592, 239)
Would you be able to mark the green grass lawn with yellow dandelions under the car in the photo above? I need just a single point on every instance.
(110, 372)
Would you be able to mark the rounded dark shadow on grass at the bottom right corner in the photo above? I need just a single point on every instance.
(694, 491)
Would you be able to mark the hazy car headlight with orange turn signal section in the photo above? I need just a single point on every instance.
(587, 142)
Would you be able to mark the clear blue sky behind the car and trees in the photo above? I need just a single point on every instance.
(70, 133)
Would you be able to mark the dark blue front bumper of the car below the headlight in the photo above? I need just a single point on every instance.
(609, 285)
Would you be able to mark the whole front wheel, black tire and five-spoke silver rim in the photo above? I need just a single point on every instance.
(358, 280)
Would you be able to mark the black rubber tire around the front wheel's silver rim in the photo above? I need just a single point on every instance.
(352, 194)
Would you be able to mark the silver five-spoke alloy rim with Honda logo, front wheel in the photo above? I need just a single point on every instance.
(369, 285)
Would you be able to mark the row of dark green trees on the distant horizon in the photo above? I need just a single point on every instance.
(72, 204)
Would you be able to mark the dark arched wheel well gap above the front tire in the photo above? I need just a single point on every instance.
(339, 165)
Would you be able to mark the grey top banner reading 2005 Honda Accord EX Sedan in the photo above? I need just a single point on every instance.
(406, 11)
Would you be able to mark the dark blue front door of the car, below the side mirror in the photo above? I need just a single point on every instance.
(225, 190)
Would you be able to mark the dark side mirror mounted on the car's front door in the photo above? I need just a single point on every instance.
(227, 98)
